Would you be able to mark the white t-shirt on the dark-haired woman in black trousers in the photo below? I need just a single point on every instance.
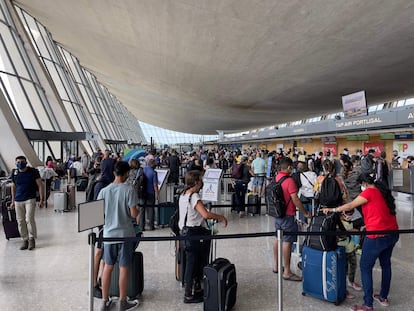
(194, 218)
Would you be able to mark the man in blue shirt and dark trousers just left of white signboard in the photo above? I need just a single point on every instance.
(151, 195)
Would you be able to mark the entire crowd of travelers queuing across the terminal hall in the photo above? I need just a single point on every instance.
(365, 203)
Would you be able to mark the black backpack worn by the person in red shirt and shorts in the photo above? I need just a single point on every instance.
(275, 199)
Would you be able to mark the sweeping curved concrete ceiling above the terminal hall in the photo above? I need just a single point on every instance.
(202, 66)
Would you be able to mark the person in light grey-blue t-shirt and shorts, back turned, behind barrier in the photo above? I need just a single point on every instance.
(121, 208)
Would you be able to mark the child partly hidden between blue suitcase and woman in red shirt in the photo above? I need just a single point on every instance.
(350, 247)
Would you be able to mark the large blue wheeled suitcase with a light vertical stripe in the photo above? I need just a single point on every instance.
(324, 275)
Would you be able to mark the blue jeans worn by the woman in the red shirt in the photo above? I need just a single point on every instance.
(372, 249)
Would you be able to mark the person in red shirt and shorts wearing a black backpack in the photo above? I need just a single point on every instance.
(287, 223)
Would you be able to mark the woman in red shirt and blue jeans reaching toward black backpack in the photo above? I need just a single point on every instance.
(378, 209)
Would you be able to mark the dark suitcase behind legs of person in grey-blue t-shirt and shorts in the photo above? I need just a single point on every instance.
(135, 278)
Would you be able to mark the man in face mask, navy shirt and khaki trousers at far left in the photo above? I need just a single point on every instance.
(26, 182)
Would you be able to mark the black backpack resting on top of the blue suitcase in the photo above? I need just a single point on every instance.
(324, 223)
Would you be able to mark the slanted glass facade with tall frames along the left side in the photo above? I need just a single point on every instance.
(63, 98)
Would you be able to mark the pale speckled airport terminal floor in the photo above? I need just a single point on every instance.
(54, 276)
